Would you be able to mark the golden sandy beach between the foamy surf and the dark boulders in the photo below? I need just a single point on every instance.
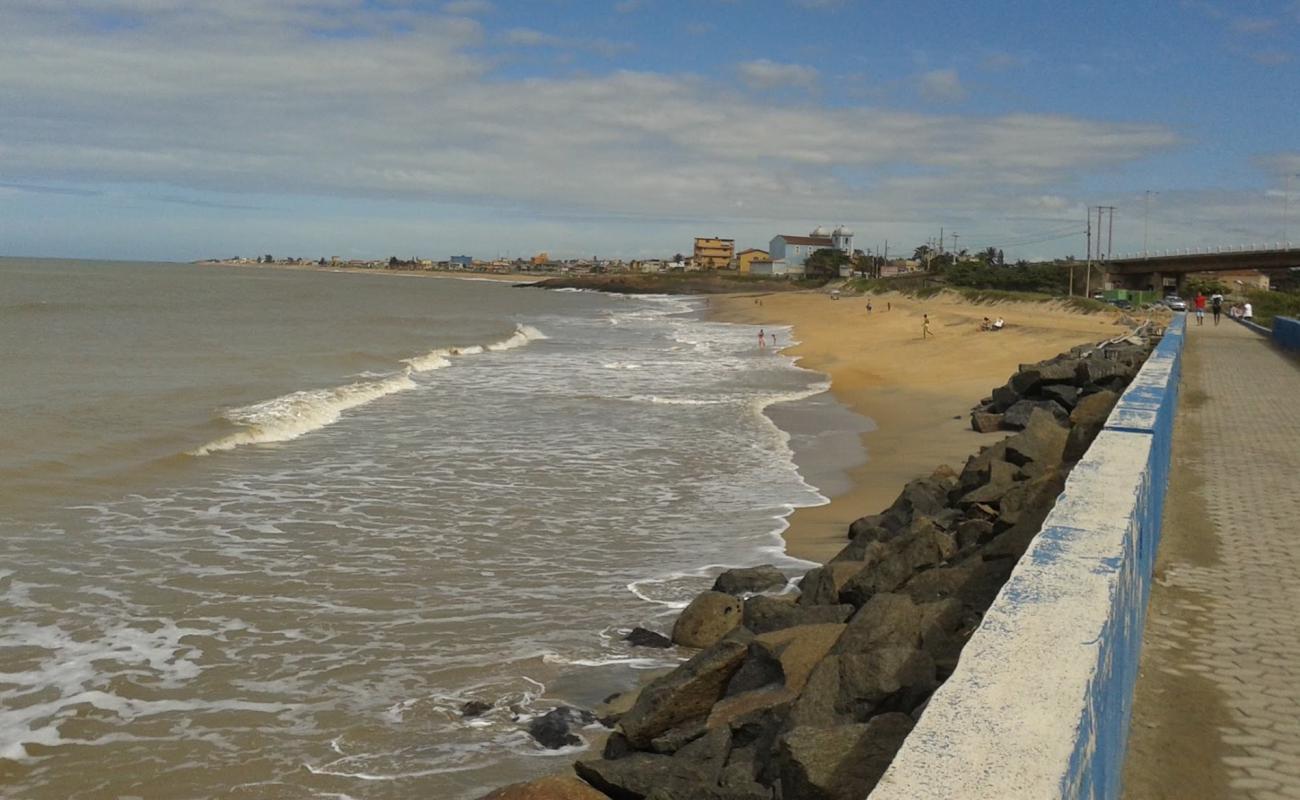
(920, 393)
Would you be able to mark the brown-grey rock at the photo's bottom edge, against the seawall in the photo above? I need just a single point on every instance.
(840, 763)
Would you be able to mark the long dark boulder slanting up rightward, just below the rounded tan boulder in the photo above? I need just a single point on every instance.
(684, 694)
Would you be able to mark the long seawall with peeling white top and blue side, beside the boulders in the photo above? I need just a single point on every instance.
(1041, 700)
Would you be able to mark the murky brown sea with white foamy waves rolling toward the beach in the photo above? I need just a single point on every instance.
(265, 533)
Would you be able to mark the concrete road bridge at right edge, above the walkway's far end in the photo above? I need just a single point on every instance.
(1151, 271)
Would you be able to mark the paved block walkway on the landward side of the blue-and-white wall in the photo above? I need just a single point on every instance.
(1217, 712)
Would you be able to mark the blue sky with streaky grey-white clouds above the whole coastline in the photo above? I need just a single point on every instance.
(192, 129)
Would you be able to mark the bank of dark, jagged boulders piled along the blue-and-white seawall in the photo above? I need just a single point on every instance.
(811, 695)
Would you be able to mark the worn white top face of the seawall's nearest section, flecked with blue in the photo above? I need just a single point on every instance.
(1007, 723)
